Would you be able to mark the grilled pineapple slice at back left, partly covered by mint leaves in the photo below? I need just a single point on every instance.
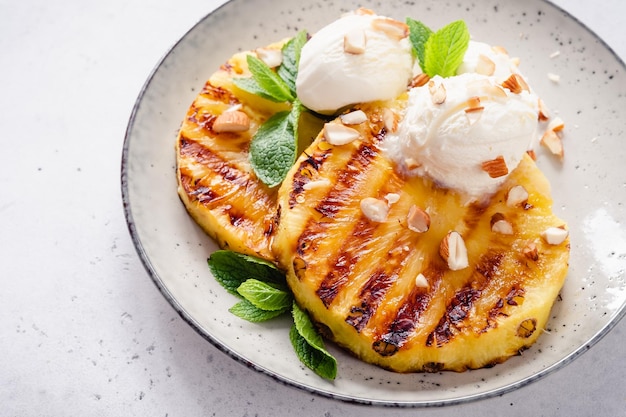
(215, 179)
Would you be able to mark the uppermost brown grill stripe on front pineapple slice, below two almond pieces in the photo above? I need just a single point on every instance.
(354, 172)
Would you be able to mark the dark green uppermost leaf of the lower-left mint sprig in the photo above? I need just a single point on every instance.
(231, 269)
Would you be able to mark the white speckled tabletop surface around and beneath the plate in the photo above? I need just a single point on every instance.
(83, 330)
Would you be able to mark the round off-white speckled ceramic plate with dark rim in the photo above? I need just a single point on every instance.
(589, 189)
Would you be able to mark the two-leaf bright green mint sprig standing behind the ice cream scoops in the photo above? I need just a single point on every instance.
(439, 53)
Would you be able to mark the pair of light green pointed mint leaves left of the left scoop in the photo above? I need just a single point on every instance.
(265, 82)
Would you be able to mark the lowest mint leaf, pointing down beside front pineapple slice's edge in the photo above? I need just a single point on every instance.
(309, 345)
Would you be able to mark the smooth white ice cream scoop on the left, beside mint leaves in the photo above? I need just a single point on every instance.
(358, 58)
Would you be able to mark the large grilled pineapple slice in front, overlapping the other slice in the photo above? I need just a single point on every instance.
(379, 286)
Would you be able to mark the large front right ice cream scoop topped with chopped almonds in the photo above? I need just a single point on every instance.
(465, 132)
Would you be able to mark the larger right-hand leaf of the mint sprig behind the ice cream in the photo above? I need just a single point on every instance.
(444, 50)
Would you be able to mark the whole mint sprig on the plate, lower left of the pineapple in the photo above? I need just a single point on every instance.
(265, 295)
